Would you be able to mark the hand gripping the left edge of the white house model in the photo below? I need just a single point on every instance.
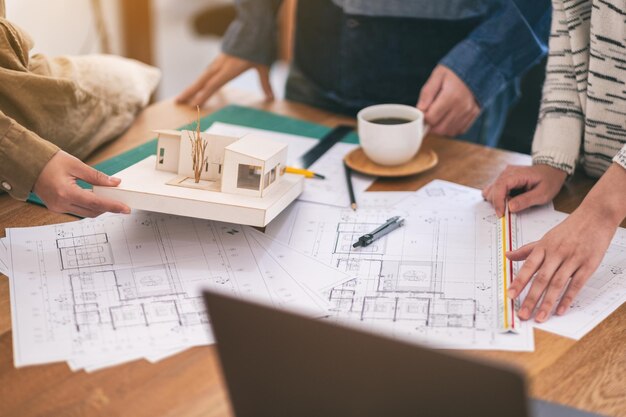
(57, 188)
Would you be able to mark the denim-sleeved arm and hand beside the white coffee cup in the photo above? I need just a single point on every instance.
(499, 50)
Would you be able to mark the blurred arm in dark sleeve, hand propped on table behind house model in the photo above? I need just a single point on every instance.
(250, 42)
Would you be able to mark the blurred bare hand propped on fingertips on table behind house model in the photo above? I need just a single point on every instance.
(223, 69)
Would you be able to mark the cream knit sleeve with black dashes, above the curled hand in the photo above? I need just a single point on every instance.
(559, 131)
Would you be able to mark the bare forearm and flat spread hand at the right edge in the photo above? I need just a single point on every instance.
(566, 257)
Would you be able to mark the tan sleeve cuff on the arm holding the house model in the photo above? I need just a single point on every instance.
(23, 154)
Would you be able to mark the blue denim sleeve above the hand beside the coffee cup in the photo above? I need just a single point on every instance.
(510, 41)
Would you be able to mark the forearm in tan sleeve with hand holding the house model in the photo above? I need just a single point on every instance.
(30, 163)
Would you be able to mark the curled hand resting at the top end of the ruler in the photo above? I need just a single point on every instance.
(541, 183)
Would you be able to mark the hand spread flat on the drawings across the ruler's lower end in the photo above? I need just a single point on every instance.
(561, 263)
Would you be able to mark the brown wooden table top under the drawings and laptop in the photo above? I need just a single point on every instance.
(588, 374)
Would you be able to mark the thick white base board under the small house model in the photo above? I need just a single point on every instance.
(145, 188)
